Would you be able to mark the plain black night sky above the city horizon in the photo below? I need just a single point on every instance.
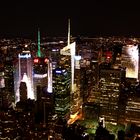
(96, 18)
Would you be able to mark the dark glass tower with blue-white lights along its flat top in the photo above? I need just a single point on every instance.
(61, 91)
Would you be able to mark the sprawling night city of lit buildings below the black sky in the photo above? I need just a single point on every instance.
(104, 96)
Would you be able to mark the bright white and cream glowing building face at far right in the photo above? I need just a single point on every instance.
(130, 59)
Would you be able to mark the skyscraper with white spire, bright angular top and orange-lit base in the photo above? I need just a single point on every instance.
(70, 50)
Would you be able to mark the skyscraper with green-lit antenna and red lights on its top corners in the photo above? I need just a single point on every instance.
(42, 71)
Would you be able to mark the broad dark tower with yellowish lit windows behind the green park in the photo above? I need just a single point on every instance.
(109, 85)
